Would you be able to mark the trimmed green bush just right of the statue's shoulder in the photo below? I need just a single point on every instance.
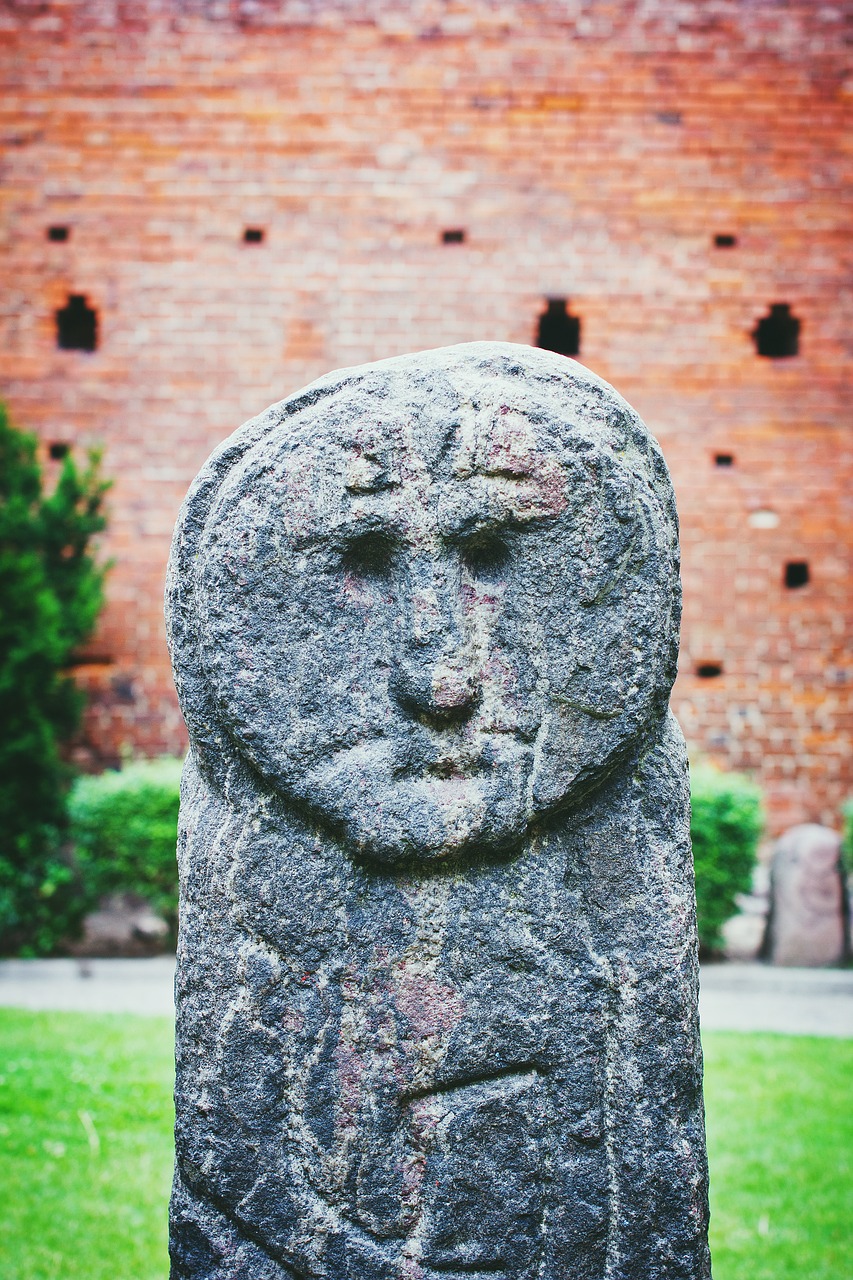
(726, 825)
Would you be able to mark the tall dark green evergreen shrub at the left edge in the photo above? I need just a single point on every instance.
(51, 597)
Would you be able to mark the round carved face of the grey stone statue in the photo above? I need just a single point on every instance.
(431, 615)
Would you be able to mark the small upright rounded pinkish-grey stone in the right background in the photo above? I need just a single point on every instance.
(808, 924)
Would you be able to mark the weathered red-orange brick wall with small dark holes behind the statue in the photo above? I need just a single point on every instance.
(589, 150)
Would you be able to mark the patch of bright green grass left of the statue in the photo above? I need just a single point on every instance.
(85, 1146)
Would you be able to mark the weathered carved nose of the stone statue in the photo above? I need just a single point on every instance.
(436, 678)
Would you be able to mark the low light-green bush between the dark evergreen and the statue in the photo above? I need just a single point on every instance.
(125, 829)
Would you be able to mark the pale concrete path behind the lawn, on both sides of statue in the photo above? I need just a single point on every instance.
(740, 998)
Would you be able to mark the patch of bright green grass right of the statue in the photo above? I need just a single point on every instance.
(781, 1149)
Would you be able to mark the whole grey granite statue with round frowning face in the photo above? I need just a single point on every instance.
(437, 970)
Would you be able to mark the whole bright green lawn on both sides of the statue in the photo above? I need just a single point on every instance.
(86, 1151)
